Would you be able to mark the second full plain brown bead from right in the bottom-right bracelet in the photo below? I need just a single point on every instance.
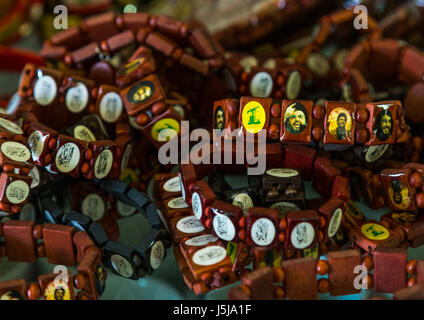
(341, 275)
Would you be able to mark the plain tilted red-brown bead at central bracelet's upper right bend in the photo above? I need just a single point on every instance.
(324, 175)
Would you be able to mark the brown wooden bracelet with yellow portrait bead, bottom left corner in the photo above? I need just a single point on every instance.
(61, 245)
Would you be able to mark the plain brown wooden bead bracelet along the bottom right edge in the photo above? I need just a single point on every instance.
(297, 279)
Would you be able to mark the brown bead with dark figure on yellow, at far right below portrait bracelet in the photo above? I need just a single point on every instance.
(398, 192)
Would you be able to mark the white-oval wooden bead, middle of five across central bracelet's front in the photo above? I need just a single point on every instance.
(262, 227)
